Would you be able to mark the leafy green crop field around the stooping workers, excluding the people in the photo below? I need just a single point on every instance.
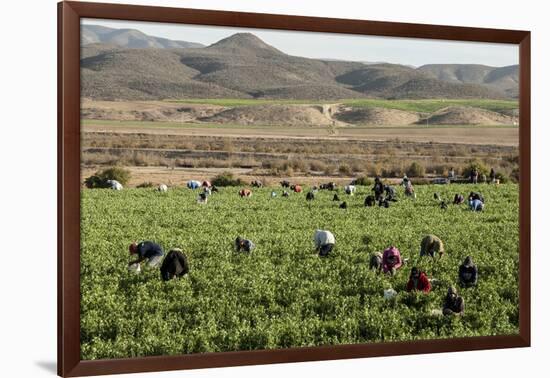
(282, 294)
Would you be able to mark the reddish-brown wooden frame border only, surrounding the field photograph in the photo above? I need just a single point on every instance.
(69, 15)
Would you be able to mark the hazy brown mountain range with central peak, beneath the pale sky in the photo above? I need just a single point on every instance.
(114, 67)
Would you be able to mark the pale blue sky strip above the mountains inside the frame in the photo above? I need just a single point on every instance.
(409, 51)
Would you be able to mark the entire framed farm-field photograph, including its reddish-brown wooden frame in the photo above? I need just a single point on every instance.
(239, 188)
